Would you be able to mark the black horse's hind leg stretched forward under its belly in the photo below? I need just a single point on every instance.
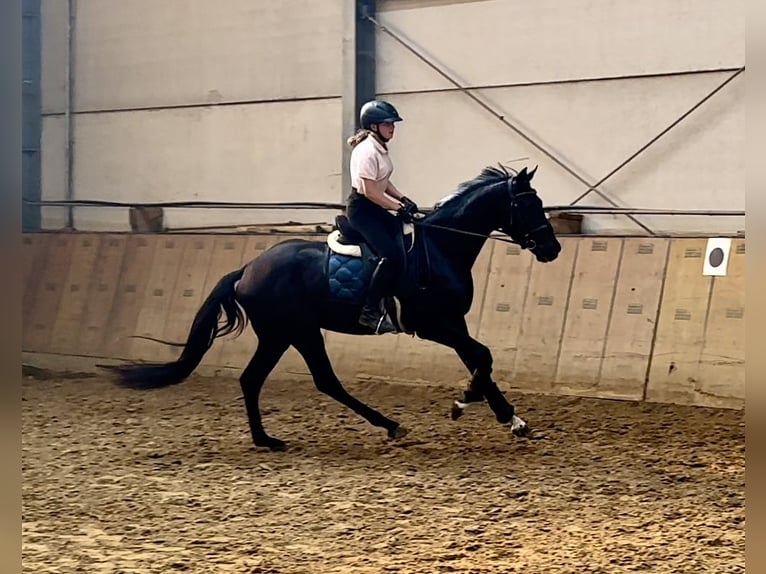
(312, 349)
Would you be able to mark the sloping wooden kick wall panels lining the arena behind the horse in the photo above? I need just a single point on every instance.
(629, 318)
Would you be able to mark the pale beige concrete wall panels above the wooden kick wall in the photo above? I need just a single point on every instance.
(241, 101)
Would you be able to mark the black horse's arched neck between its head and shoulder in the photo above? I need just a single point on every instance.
(480, 216)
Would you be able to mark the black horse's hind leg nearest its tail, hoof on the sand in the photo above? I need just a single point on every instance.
(264, 360)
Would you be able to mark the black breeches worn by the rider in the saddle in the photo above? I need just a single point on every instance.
(381, 229)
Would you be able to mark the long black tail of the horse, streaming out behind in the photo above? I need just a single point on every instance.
(204, 330)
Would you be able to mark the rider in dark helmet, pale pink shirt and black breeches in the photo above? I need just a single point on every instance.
(373, 195)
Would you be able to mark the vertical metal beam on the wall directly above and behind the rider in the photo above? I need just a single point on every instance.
(358, 73)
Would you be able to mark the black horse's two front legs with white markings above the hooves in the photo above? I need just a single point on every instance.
(478, 360)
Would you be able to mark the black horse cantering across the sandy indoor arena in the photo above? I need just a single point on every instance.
(285, 294)
